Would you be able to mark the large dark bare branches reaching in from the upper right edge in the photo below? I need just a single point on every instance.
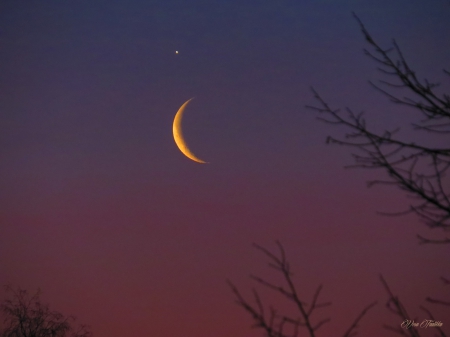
(417, 169)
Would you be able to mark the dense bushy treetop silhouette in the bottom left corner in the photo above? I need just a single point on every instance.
(26, 316)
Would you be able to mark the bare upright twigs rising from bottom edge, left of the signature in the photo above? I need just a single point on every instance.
(273, 322)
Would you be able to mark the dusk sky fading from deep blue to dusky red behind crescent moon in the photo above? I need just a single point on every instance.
(101, 211)
